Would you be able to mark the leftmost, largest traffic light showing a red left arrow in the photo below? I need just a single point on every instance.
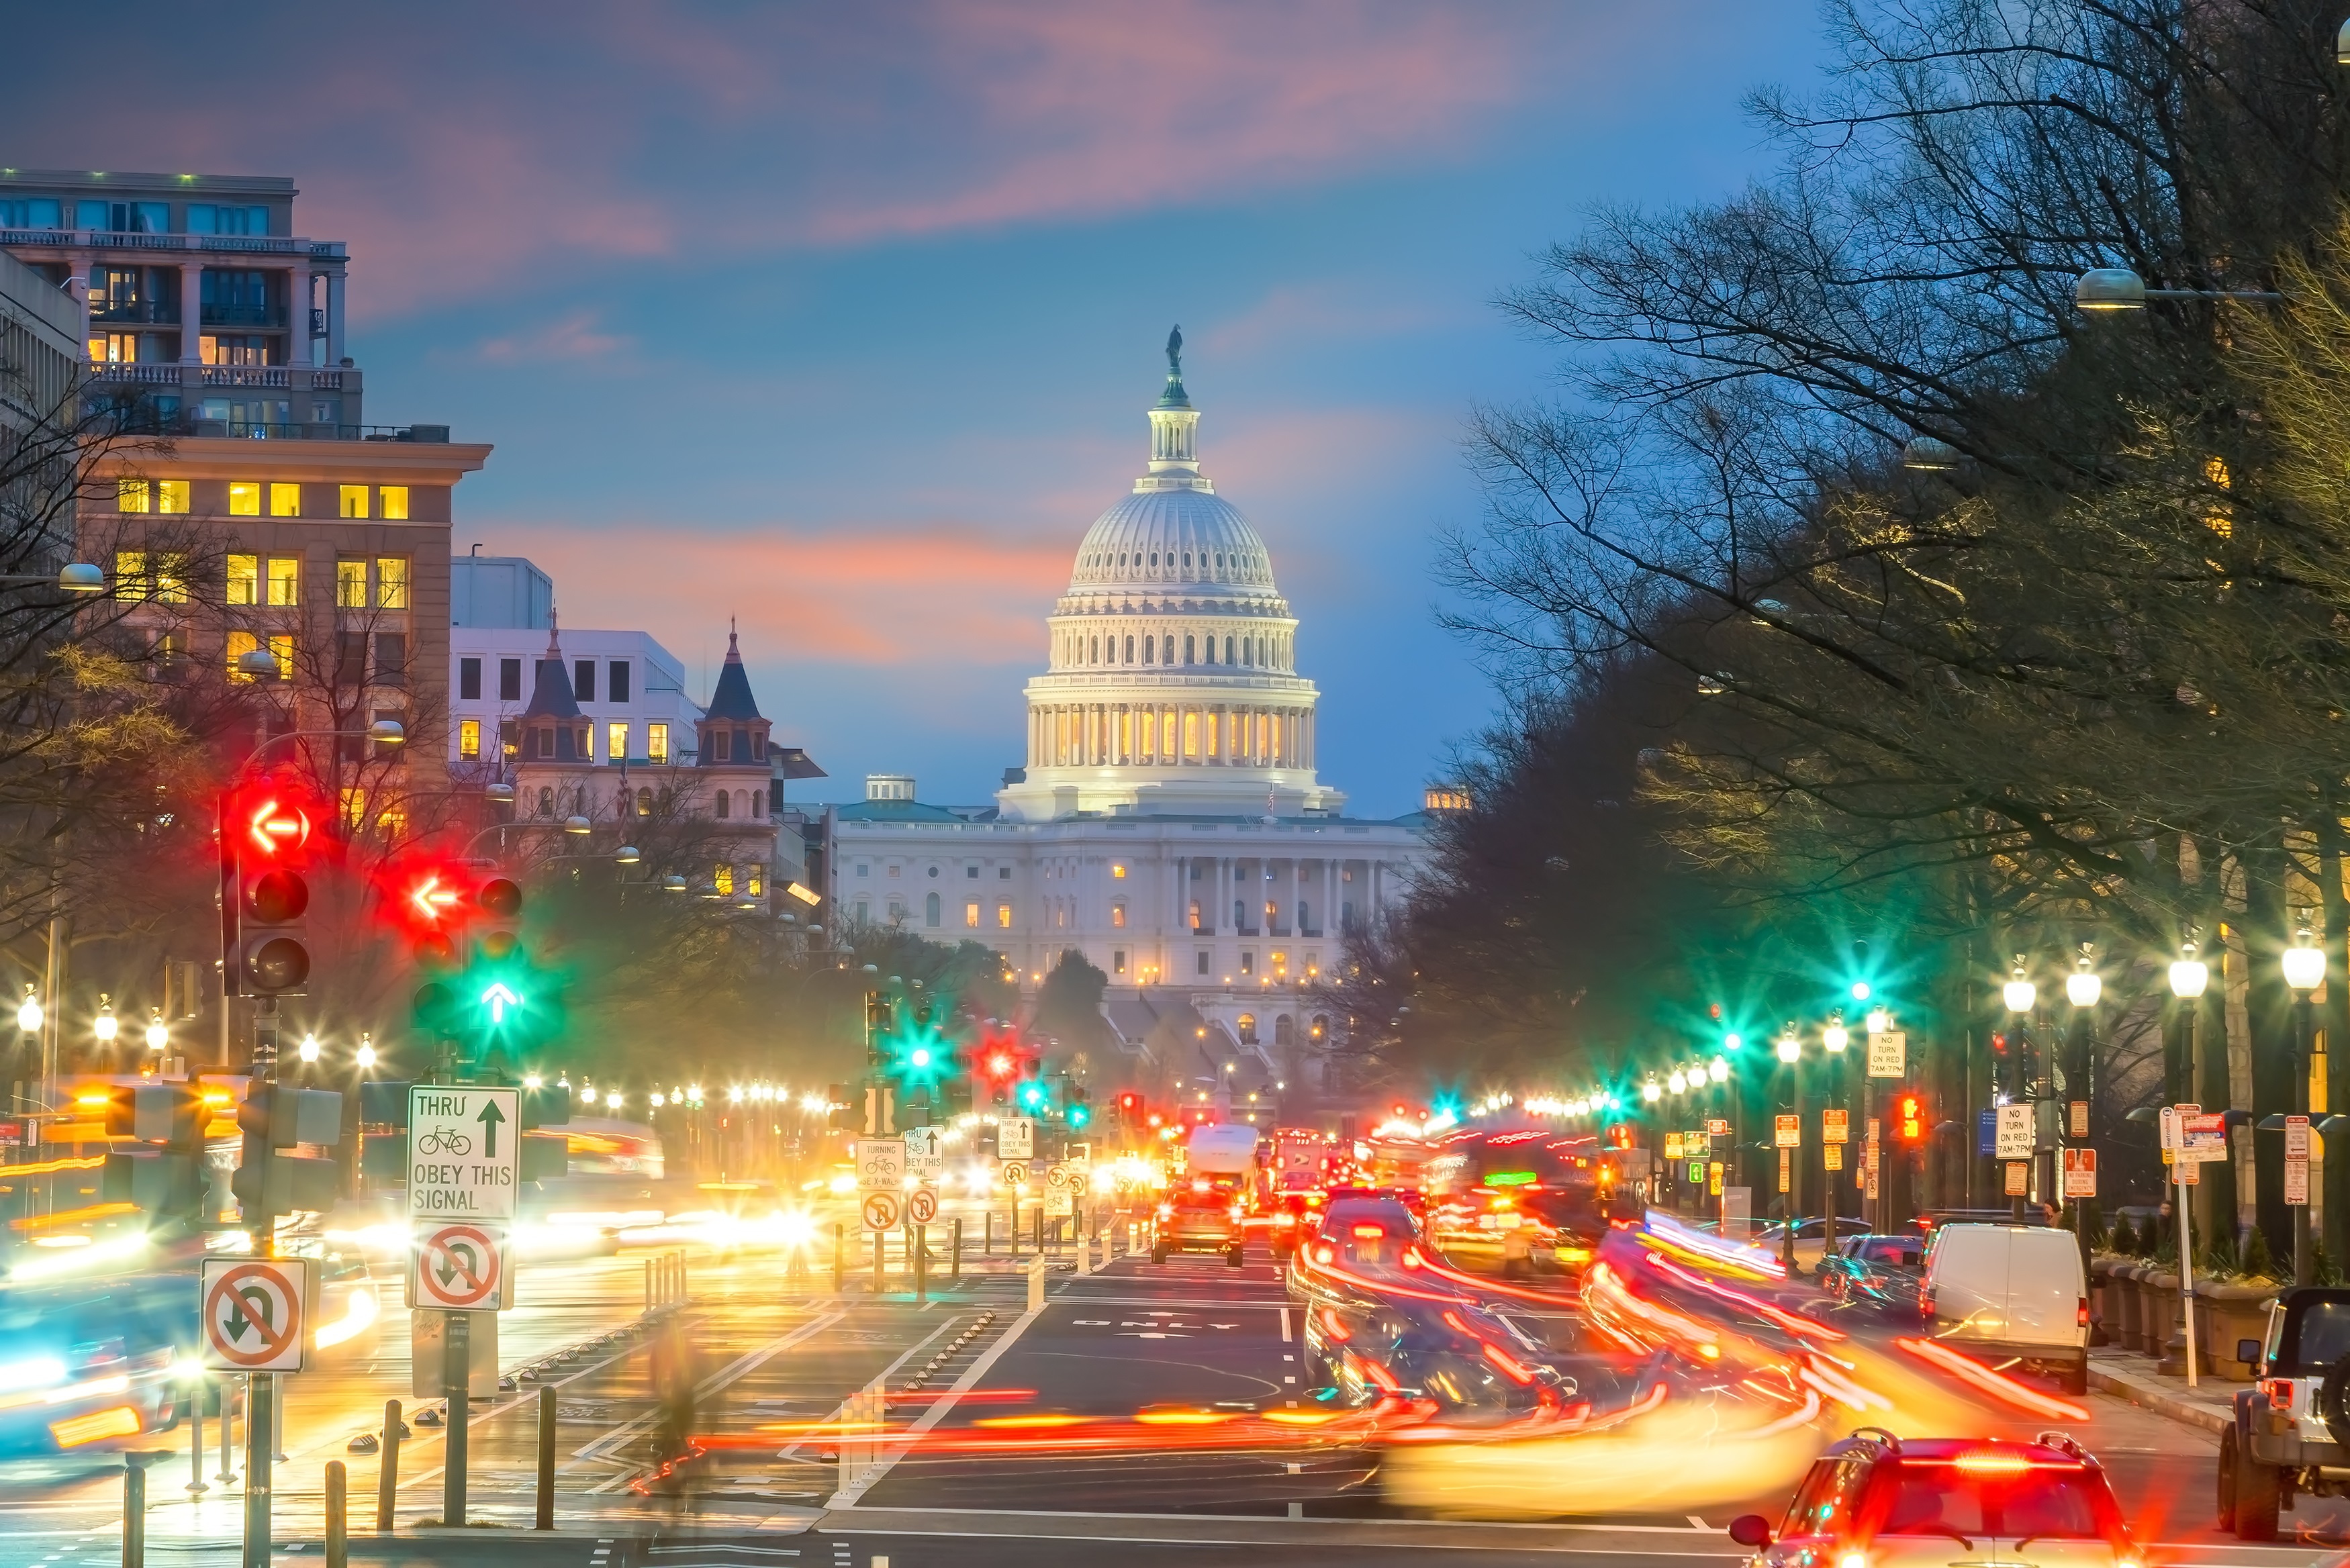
(264, 890)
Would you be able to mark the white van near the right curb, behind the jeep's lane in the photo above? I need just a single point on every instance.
(2010, 1294)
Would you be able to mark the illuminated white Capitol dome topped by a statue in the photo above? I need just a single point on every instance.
(1171, 683)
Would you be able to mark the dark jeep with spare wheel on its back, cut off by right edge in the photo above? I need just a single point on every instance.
(2292, 1426)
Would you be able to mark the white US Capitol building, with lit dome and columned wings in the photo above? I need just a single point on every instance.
(1169, 822)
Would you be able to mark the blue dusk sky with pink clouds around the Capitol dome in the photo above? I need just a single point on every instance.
(842, 321)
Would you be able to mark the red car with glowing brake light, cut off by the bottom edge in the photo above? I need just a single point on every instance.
(1905, 1503)
